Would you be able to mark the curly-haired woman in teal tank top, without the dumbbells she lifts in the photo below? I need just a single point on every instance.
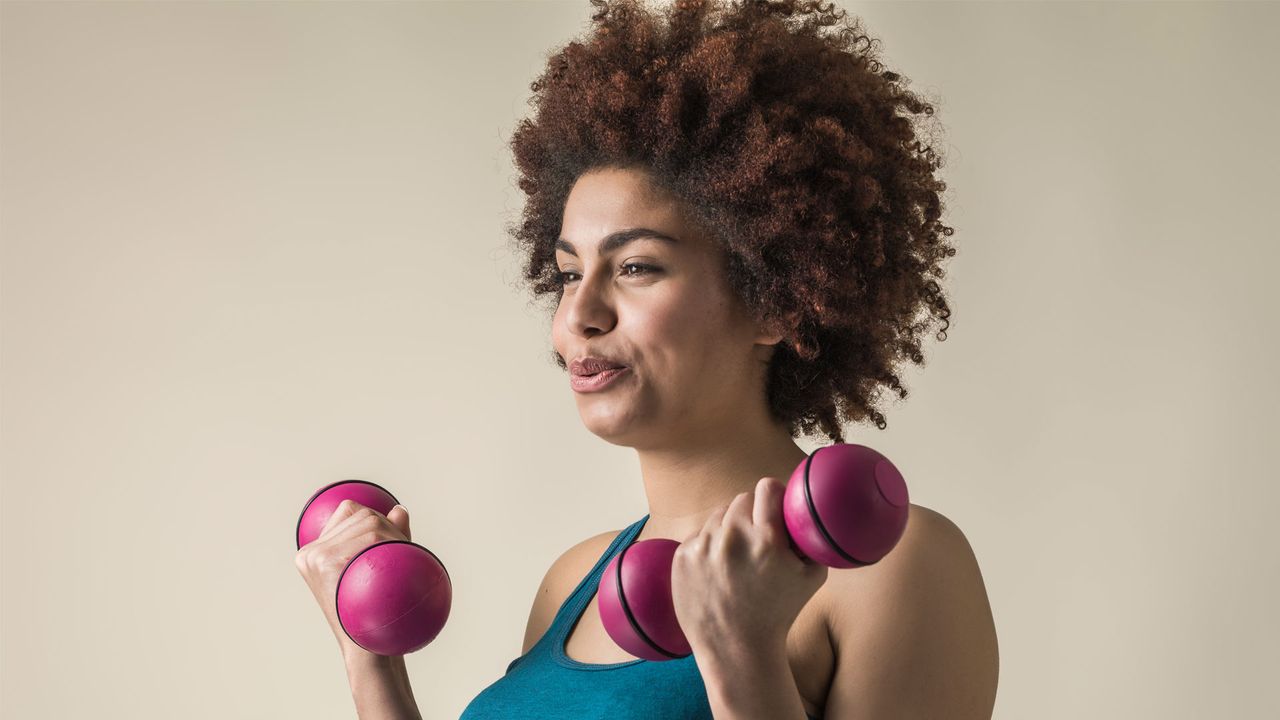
(740, 231)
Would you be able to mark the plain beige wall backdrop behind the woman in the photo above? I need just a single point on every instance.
(252, 249)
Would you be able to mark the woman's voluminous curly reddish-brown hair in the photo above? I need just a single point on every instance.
(799, 153)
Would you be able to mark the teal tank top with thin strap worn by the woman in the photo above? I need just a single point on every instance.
(550, 685)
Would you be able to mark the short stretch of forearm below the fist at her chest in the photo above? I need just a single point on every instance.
(752, 686)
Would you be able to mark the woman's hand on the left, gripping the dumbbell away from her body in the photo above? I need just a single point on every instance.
(350, 530)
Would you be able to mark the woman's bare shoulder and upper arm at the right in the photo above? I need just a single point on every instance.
(917, 626)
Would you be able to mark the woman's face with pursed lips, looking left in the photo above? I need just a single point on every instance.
(696, 361)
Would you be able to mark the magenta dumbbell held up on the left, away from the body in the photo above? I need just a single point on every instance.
(394, 598)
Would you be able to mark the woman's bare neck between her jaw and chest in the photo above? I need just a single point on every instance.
(687, 484)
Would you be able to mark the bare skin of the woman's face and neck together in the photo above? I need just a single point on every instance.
(693, 404)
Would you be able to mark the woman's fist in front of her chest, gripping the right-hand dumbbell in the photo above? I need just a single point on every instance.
(737, 585)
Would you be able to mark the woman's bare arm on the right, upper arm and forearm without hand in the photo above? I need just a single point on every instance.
(915, 640)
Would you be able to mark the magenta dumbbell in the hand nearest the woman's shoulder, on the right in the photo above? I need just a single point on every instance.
(845, 507)
